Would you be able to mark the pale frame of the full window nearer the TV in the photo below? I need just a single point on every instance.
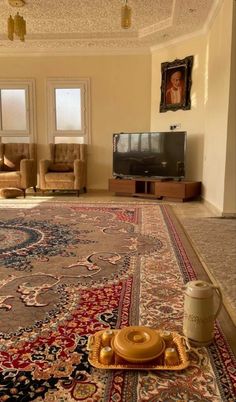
(72, 83)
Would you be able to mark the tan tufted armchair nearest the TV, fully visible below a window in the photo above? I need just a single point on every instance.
(66, 169)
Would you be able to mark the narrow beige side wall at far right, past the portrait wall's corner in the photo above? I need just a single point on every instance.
(217, 106)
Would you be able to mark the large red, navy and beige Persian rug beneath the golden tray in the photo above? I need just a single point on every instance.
(69, 270)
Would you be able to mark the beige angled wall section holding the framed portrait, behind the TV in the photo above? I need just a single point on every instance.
(192, 120)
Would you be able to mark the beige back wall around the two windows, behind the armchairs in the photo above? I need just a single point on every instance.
(120, 99)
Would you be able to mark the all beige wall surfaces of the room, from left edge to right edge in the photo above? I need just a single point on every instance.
(125, 97)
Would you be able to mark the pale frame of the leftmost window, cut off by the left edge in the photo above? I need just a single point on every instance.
(29, 86)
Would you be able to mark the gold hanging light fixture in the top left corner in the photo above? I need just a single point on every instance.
(16, 25)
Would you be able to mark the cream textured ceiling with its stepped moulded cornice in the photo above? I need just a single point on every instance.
(143, 39)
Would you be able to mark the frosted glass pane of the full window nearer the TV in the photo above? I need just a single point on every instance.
(68, 109)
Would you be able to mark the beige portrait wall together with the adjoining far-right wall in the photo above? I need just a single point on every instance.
(210, 124)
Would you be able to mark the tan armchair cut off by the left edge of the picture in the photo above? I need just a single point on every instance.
(18, 166)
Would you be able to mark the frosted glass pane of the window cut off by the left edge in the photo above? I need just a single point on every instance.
(13, 108)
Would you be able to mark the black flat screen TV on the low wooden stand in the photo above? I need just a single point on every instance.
(151, 154)
